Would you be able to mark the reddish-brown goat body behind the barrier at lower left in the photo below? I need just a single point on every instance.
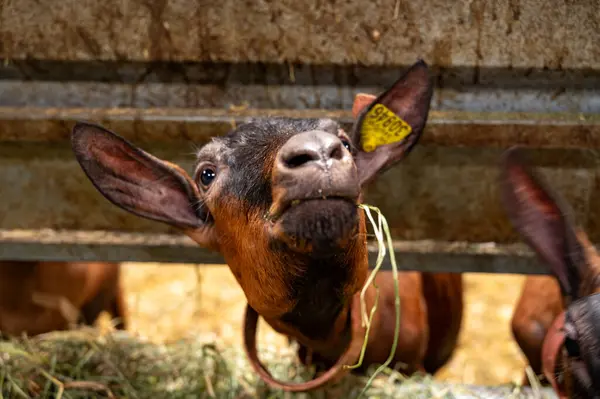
(40, 297)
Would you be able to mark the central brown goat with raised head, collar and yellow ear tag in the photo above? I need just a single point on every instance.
(278, 199)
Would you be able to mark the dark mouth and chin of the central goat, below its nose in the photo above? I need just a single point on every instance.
(316, 224)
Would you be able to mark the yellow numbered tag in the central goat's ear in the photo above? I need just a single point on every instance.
(381, 126)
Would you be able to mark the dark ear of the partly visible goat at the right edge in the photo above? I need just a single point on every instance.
(543, 220)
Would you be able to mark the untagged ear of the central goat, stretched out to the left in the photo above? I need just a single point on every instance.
(135, 180)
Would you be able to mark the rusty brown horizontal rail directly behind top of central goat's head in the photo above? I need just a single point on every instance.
(472, 129)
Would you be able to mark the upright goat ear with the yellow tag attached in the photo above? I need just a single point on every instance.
(389, 126)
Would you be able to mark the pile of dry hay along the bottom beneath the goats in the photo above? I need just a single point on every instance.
(84, 363)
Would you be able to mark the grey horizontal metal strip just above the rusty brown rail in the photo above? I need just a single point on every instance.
(311, 95)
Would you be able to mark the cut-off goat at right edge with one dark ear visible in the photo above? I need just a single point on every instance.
(557, 319)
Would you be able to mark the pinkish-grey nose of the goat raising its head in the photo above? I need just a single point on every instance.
(314, 147)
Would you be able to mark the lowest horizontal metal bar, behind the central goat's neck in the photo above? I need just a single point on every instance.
(429, 256)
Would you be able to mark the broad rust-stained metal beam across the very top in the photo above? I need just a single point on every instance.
(485, 33)
